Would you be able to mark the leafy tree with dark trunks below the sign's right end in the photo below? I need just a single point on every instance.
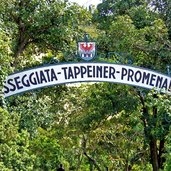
(156, 115)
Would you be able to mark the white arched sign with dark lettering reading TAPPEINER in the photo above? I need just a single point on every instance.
(85, 72)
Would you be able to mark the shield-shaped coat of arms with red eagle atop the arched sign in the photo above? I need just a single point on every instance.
(86, 49)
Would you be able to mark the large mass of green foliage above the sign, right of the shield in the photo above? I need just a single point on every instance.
(150, 30)
